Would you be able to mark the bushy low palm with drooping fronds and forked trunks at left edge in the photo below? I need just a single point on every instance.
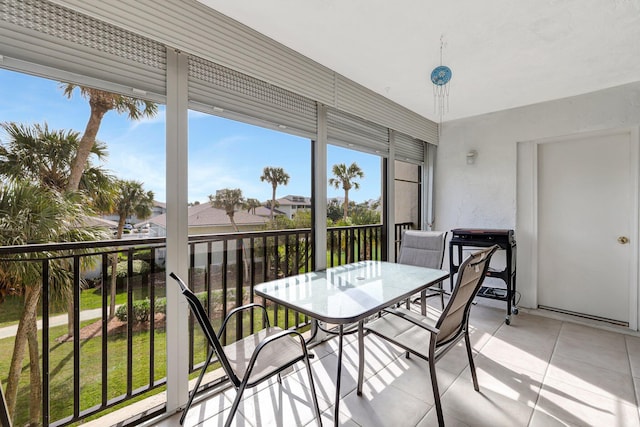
(30, 213)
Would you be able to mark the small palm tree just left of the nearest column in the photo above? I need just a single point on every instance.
(130, 199)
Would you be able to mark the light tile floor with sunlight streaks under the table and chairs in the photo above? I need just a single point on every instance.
(539, 371)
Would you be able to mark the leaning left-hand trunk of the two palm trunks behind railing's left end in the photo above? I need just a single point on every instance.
(32, 295)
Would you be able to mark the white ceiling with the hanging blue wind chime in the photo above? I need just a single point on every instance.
(503, 53)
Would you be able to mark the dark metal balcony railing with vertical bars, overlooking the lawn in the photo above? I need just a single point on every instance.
(87, 374)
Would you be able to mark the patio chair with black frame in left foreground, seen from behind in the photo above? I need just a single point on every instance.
(250, 360)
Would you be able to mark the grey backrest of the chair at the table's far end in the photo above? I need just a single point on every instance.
(422, 248)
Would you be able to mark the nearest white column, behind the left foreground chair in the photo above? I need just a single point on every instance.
(177, 230)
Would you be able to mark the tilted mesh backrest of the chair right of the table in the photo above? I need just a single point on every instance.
(471, 274)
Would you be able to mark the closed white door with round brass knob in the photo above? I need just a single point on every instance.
(586, 214)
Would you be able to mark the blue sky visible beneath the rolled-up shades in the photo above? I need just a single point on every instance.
(222, 153)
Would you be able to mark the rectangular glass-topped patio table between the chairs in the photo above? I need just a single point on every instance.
(349, 293)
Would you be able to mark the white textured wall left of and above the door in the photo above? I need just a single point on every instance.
(485, 194)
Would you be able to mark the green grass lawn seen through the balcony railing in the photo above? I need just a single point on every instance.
(62, 365)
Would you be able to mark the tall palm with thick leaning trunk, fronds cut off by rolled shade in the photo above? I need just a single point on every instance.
(100, 103)
